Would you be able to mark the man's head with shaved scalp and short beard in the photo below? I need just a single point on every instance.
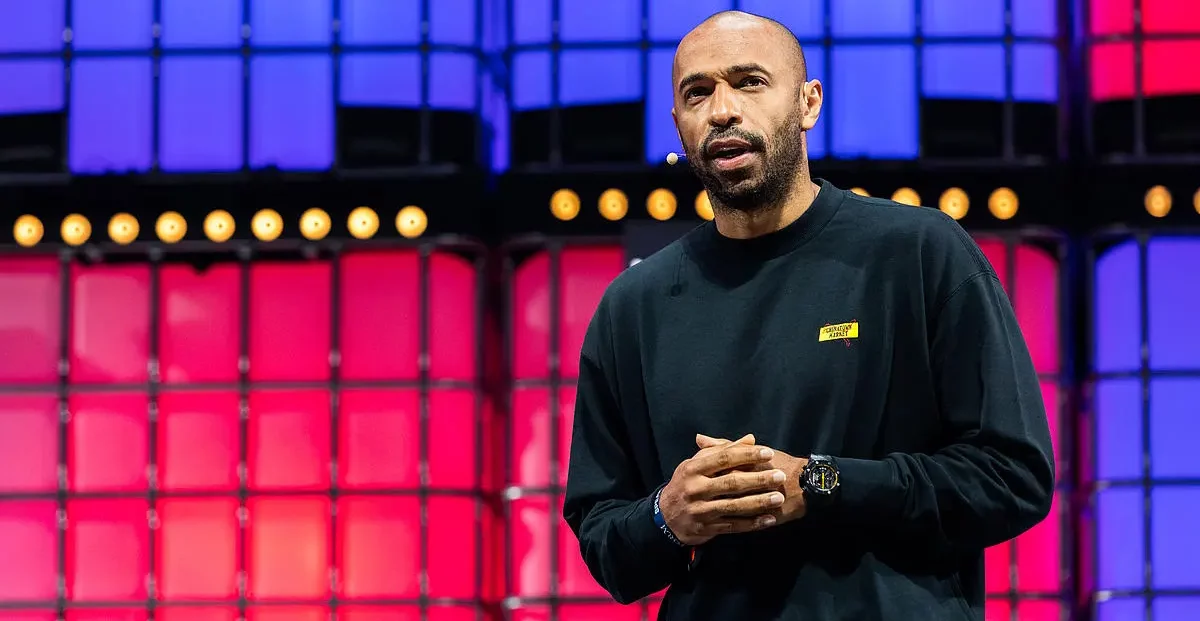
(742, 105)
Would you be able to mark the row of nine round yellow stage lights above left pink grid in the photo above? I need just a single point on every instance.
(219, 226)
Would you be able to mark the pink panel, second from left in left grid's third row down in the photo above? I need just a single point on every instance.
(109, 550)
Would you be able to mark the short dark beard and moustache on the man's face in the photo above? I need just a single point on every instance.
(749, 191)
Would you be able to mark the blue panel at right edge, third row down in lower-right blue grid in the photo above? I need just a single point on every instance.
(1175, 539)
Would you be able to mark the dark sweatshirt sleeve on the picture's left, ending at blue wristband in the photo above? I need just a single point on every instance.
(608, 504)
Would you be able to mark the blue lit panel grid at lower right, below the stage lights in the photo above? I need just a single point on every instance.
(1147, 370)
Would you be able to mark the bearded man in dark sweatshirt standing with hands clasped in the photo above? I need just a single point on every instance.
(818, 407)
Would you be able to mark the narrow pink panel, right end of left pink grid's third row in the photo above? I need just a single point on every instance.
(454, 545)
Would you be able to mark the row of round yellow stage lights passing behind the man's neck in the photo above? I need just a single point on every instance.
(662, 203)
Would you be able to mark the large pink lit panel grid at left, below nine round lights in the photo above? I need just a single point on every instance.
(254, 439)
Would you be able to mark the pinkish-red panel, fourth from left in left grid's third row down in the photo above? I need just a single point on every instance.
(289, 545)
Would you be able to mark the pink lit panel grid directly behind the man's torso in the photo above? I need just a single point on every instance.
(554, 294)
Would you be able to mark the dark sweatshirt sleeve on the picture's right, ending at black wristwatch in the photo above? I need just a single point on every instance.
(995, 475)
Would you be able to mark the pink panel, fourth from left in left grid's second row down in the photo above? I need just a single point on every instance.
(290, 441)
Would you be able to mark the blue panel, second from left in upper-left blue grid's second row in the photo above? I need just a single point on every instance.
(111, 117)
